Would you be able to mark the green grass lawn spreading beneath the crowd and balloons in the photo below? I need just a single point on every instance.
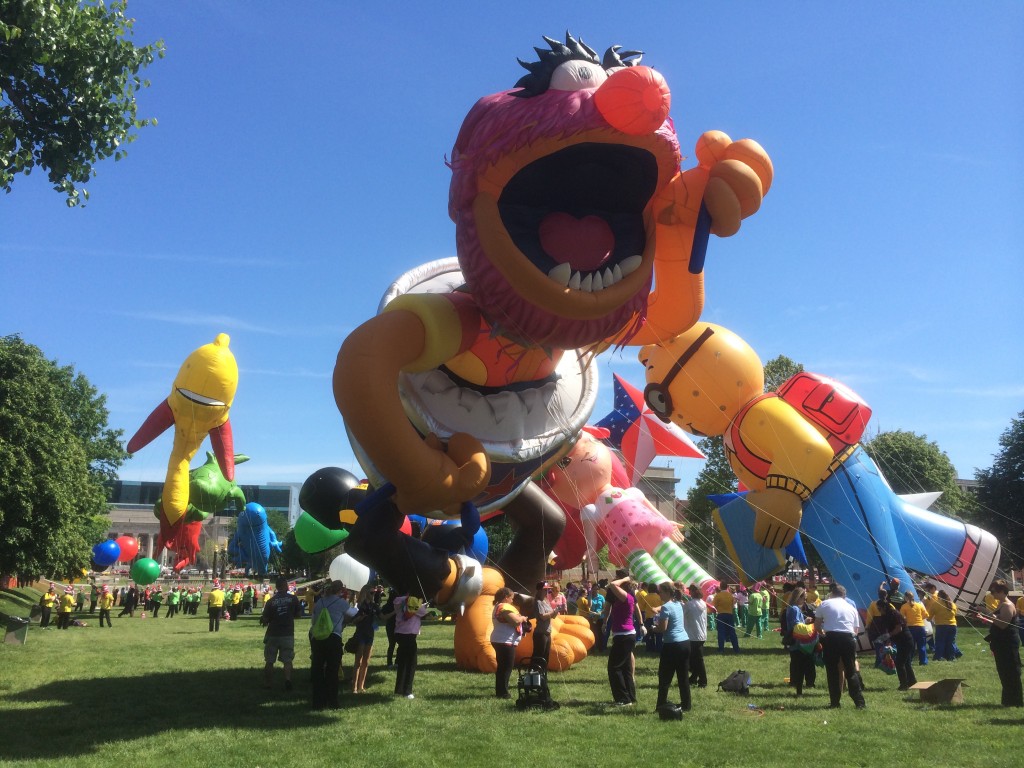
(166, 693)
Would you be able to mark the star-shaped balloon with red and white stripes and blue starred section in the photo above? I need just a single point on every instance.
(641, 436)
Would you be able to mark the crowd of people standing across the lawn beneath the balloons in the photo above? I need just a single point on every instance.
(672, 621)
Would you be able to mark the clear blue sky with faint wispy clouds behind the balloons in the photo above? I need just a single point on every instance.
(298, 168)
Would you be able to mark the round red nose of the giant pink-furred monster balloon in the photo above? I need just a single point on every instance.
(634, 101)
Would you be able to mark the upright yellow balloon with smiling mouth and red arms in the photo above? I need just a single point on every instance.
(199, 405)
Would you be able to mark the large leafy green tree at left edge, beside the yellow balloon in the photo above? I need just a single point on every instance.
(56, 452)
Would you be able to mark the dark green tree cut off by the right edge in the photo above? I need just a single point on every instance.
(1001, 493)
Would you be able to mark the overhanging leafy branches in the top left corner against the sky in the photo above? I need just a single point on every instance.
(69, 75)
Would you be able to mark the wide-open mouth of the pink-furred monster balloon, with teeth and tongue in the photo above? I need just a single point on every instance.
(578, 214)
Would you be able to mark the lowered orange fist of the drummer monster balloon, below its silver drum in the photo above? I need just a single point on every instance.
(458, 474)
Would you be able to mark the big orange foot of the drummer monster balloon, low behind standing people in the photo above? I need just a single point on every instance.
(571, 636)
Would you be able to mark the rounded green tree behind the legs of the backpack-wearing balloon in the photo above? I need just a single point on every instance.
(912, 464)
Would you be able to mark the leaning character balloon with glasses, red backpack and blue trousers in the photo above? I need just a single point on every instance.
(797, 451)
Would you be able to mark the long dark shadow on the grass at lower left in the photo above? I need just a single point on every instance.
(149, 706)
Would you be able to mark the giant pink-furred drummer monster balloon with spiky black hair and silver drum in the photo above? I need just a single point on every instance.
(570, 206)
